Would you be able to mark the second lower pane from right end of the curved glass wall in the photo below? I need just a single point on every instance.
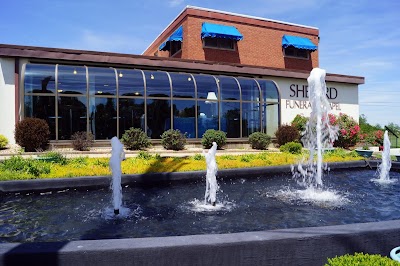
(250, 118)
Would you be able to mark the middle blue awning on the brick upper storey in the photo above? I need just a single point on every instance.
(220, 31)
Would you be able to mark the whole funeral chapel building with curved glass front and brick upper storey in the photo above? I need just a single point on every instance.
(207, 70)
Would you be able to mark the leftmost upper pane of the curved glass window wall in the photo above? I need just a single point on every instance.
(39, 78)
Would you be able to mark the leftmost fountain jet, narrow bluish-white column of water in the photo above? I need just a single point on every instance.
(117, 155)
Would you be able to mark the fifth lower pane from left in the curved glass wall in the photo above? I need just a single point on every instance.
(158, 117)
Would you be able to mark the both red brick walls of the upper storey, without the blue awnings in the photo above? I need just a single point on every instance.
(261, 45)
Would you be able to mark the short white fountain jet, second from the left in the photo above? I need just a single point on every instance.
(211, 178)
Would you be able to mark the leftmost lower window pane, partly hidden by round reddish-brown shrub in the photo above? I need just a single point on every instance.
(42, 107)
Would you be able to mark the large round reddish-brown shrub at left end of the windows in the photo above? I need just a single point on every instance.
(32, 134)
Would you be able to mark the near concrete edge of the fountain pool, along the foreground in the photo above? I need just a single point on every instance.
(296, 246)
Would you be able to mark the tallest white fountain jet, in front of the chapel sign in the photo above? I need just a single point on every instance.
(319, 133)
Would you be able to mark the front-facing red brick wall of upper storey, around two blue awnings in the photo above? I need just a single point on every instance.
(260, 46)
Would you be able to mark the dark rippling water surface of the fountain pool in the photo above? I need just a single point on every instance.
(243, 205)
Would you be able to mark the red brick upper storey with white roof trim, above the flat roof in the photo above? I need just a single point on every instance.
(261, 44)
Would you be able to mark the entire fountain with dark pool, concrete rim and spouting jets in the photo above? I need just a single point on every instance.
(60, 221)
